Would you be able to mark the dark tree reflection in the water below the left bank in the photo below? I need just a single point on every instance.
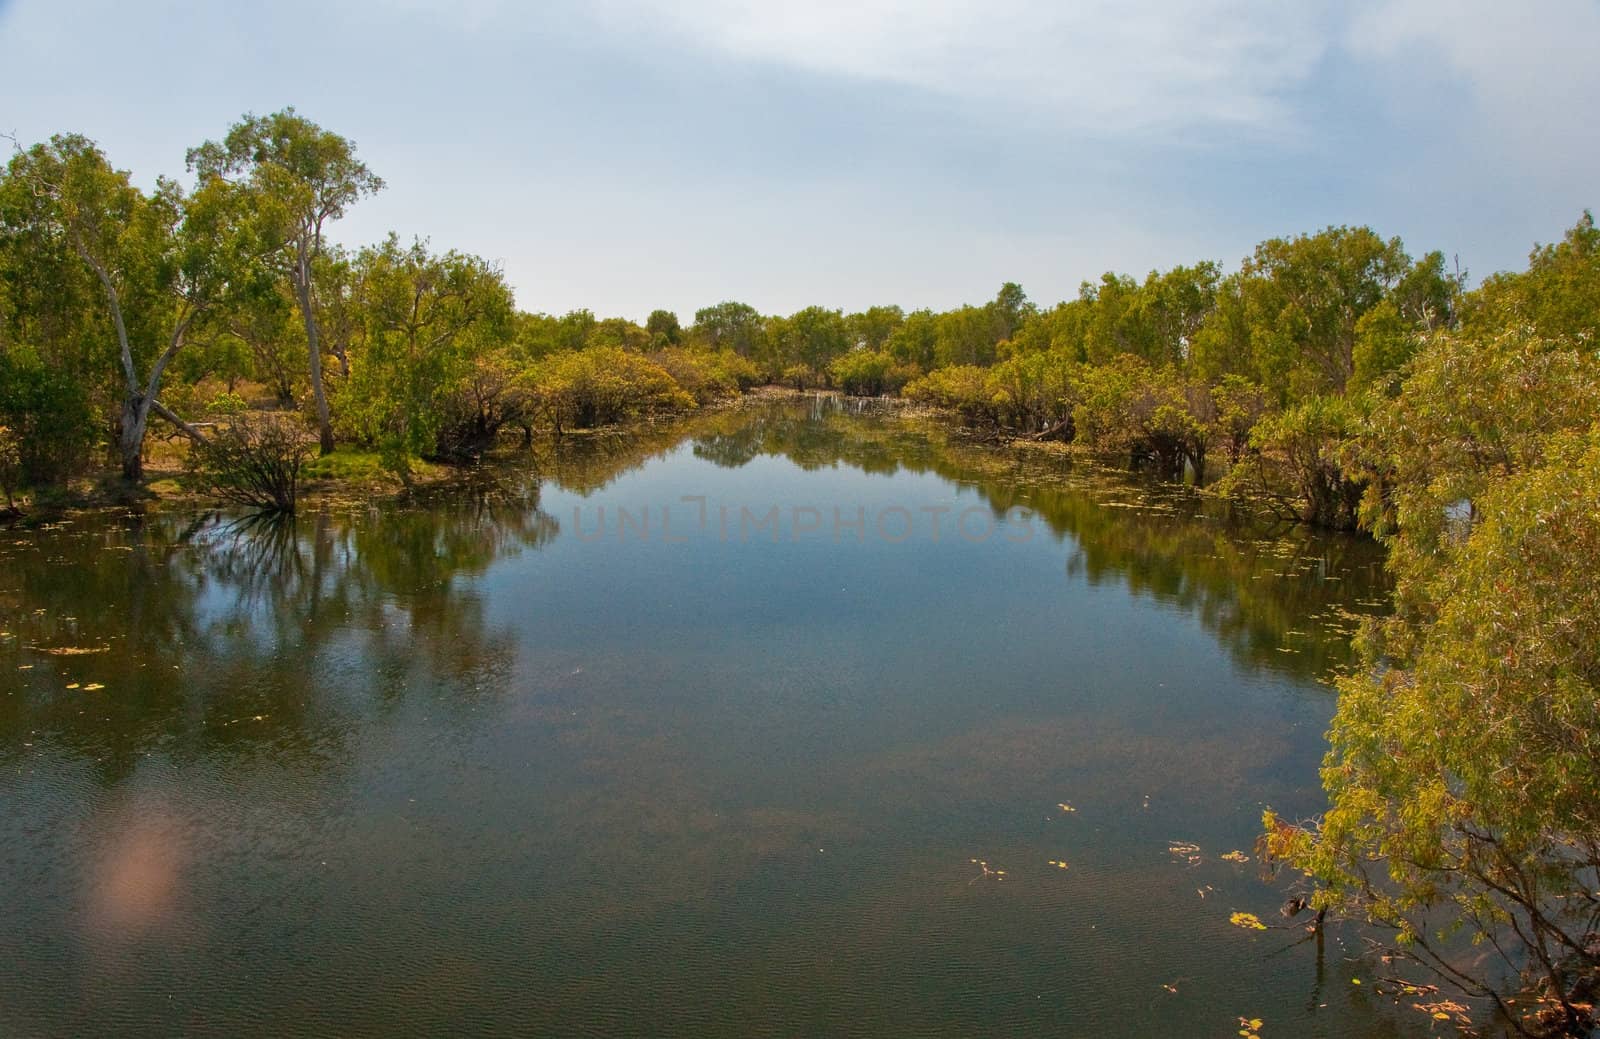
(218, 636)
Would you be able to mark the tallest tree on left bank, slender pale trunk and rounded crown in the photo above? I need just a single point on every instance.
(300, 179)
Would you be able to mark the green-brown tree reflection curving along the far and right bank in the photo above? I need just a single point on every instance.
(1278, 596)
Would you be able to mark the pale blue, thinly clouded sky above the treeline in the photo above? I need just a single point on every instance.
(625, 156)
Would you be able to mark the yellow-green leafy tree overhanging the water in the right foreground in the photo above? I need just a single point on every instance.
(1465, 771)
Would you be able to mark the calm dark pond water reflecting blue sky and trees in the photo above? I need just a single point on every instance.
(586, 748)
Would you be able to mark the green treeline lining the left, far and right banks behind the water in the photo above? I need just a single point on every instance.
(196, 305)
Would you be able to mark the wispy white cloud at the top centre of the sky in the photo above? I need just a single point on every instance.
(1130, 65)
